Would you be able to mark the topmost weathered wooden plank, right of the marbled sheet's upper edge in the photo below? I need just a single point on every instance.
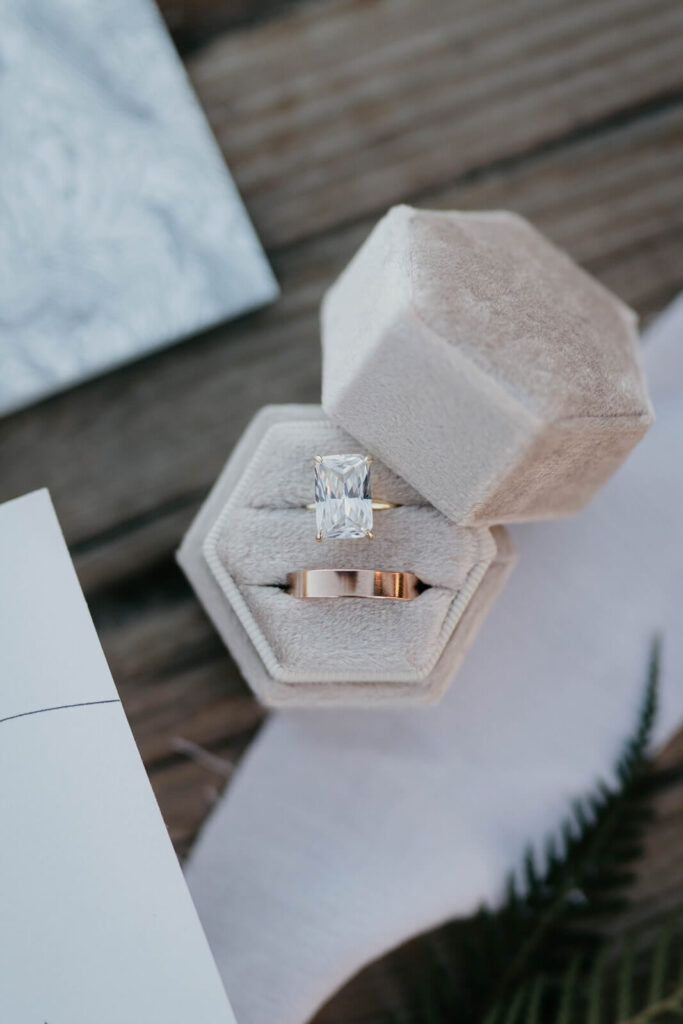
(365, 105)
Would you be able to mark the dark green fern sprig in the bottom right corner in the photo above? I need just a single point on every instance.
(544, 958)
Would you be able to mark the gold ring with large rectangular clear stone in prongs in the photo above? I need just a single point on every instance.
(344, 499)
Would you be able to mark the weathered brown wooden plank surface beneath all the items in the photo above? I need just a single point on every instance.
(570, 112)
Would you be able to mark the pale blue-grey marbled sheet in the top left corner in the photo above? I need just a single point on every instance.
(121, 230)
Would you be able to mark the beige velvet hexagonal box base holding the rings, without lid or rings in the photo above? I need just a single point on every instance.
(253, 531)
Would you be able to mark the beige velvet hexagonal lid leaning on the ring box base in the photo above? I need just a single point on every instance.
(483, 365)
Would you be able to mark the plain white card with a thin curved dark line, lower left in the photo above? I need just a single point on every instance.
(97, 925)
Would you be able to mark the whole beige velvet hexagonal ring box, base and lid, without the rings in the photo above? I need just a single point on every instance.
(493, 381)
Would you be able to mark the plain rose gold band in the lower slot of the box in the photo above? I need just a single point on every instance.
(355, 583)
